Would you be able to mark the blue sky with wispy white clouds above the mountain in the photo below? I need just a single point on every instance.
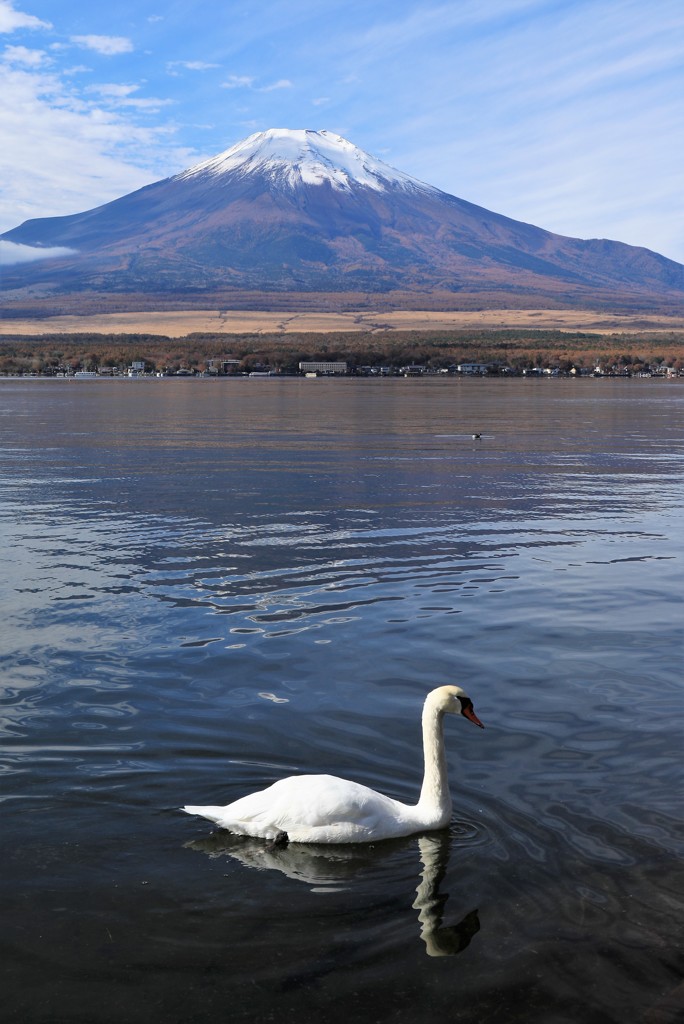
(567, 114)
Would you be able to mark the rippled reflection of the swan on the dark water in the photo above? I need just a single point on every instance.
(327, 869)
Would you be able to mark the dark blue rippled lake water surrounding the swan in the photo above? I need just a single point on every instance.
(210, 584)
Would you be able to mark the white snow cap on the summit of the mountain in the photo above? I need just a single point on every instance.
(305, 156)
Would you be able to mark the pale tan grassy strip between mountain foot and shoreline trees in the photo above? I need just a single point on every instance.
(180, 324)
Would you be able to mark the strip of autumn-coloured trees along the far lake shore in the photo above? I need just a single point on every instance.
(520, 350)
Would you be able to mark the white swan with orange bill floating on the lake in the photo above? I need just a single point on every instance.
(326, 809)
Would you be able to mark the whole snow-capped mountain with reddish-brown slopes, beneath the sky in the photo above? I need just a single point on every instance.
(308, 211)
